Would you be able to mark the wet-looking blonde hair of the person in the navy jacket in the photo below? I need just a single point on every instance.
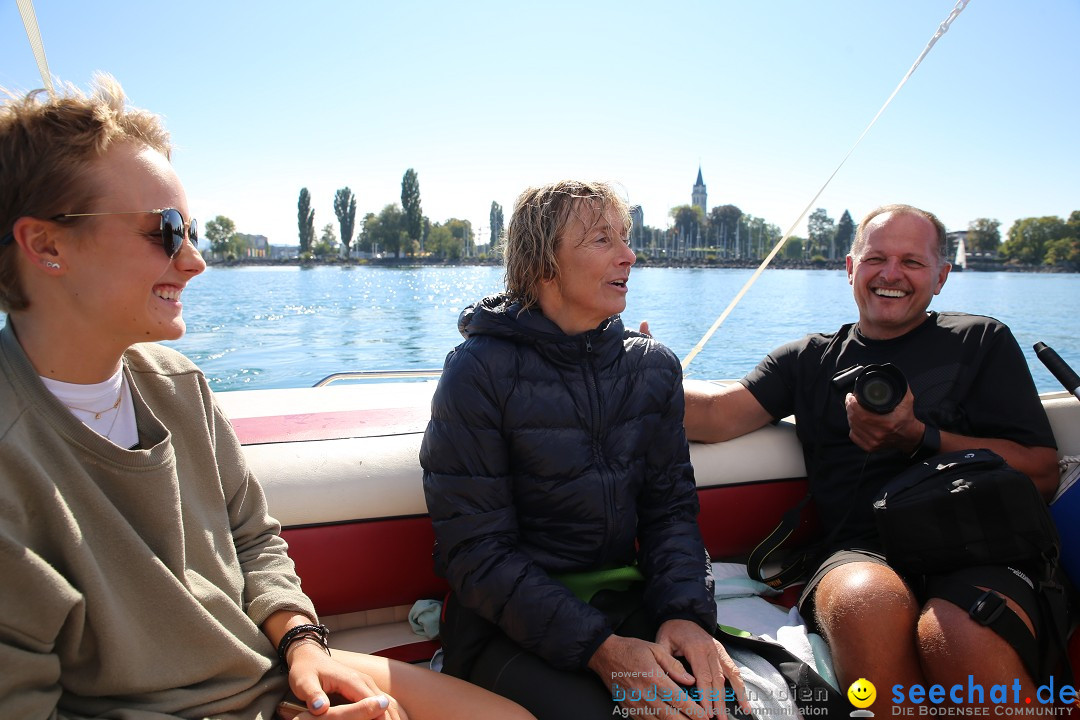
(536, 228)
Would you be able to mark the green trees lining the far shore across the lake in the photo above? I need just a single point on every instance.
(724, 238)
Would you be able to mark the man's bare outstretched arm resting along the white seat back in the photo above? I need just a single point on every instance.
(715, 413)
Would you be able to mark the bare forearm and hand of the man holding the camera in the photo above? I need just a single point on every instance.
(902, 431)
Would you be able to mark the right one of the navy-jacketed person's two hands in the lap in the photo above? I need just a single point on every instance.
(710, 664)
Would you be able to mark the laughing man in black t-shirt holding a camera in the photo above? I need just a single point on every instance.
(969, 387)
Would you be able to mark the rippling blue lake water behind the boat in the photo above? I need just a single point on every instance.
(290, 328)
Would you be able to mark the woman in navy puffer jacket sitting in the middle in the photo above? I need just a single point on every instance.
(556, 458)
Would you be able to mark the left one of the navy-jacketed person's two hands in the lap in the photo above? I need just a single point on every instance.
(646, 673)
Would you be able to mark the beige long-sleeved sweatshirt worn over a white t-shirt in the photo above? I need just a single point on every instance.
(133, 582)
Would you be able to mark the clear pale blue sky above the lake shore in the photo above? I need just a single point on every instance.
(484, 99)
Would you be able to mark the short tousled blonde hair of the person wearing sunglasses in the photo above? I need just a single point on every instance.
(48, 148)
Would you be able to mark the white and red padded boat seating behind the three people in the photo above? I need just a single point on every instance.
(342, 474)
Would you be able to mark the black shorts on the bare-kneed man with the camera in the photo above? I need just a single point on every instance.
(1014, 583)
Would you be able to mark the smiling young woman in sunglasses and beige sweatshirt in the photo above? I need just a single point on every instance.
(143, 578)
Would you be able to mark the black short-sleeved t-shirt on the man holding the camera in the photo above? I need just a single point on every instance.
(968, 376)
